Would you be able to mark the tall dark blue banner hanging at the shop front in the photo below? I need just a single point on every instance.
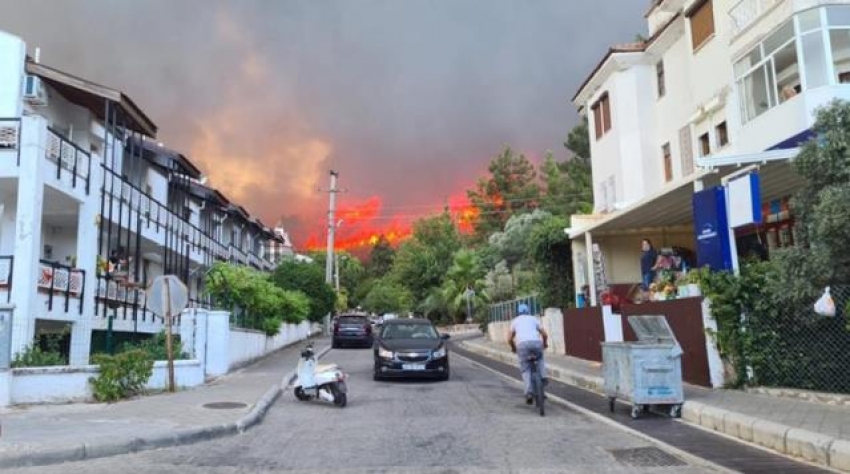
(711, 229)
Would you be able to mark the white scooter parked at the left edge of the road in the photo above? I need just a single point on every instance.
(325, 382)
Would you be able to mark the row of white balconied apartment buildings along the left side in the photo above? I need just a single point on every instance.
(92, 209)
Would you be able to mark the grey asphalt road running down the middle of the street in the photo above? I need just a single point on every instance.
(475, 422)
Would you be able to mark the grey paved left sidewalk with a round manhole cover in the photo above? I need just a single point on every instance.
(46, 434)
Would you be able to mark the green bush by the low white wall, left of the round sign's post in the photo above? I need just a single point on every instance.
(122, 375)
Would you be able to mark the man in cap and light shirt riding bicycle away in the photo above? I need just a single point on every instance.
(528, 337)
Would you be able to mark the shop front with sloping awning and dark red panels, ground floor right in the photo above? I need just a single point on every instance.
(607, 255)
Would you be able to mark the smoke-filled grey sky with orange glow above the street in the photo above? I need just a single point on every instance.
(407, 99)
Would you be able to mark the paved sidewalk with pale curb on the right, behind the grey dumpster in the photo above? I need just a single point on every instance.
(813, 431)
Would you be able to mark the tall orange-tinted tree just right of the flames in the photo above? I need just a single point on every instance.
(511, 188)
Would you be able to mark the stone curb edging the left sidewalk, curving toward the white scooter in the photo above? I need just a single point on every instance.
(62, 454)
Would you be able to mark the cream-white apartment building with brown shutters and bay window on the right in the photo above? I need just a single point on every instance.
(719, 84)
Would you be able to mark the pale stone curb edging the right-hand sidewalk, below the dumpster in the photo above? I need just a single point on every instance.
(810, 446)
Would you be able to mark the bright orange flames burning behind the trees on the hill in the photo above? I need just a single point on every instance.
(360, 225)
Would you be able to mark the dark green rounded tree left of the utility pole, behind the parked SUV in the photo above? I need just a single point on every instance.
(309, 279)
